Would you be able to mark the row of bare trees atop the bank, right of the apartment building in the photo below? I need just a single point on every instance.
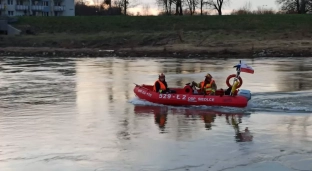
(188, 7)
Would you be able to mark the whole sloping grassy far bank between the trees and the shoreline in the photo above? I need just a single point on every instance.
(246, 35)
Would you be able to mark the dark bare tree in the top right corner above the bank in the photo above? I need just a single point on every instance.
(295, 6)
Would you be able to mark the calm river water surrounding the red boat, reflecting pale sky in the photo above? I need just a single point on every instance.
(81, 114)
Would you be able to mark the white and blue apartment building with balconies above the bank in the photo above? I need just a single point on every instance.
(37, 7)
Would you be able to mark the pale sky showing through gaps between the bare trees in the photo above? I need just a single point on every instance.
(234, 4)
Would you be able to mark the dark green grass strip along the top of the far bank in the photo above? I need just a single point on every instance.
(164, 23)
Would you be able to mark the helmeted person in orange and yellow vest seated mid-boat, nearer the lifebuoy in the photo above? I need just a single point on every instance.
(208, 86)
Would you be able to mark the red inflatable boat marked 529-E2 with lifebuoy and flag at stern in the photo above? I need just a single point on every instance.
(185, 96)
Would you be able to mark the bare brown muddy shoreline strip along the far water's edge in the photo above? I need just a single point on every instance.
(239, 50)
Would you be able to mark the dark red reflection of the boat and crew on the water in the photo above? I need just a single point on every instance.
(207, 117)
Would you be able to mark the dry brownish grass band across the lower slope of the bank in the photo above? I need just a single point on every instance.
(207, 39)
